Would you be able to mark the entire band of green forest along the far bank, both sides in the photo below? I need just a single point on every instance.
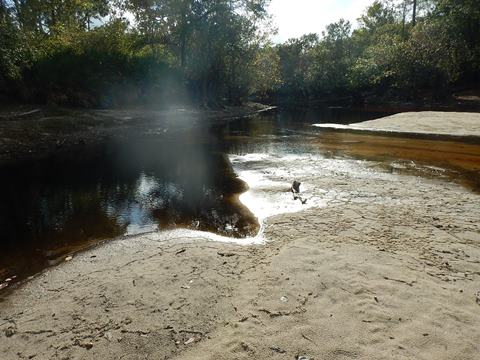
(210, 53)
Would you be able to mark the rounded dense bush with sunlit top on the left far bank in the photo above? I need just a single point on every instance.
(102, 67)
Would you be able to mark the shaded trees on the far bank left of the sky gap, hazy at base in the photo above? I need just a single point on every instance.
(124, 52)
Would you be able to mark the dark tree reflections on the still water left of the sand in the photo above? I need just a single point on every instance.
(53, 206)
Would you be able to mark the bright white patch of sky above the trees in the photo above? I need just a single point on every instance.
(294, 18)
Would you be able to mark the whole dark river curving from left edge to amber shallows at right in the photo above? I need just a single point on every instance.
(64, 203)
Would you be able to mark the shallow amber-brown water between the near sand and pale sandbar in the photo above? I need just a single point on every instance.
(453, 161)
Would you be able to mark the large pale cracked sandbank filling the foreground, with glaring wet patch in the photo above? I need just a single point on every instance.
(377, 265)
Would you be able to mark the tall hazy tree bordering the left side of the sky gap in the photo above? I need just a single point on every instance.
(219, 34)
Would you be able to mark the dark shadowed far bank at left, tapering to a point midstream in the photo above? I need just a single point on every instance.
(37, 132)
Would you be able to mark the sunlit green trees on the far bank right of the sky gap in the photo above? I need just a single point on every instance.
(407, 49)
